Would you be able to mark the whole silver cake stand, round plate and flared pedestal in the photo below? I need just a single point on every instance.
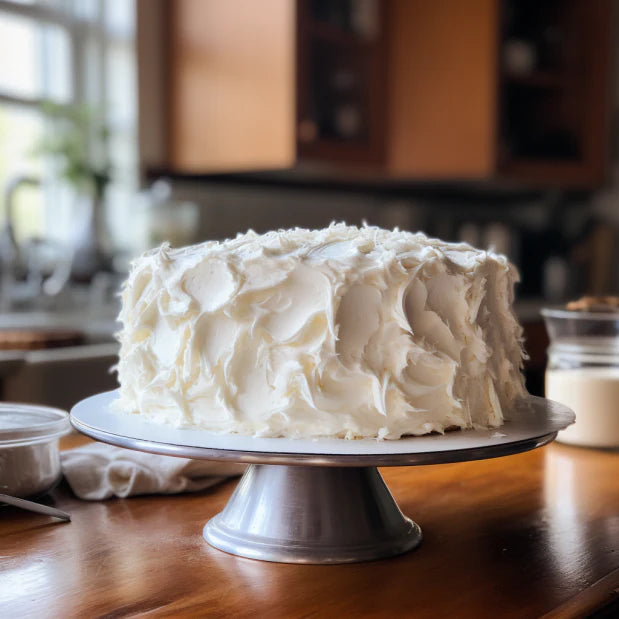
(318, 501)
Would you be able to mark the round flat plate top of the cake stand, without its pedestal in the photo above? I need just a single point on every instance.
(532, 423)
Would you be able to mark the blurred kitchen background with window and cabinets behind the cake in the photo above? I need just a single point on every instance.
(124, 123)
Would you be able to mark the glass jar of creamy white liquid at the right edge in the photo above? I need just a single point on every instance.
(583, 373)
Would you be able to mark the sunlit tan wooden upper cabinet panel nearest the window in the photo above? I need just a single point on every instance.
(231, 85)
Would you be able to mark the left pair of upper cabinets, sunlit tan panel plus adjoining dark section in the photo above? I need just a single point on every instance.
(260, 85)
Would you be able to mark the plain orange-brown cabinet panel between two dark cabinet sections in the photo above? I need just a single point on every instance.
(442, 89)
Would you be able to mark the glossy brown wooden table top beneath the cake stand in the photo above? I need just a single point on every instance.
(519, 536)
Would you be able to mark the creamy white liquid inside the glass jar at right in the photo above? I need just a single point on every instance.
(593, 394)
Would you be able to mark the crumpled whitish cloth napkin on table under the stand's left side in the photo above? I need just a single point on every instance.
(99, 471)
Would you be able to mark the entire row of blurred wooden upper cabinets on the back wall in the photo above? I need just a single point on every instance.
(402, 89)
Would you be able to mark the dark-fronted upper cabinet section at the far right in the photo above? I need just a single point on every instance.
(554, 90)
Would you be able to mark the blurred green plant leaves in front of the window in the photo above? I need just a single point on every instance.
(76, 142)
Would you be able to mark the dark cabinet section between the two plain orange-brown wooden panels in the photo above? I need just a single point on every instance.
(341, 80)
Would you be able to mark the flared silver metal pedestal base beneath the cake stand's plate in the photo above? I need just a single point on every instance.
(312, 514)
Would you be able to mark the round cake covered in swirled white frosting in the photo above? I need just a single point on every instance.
(348, 332)
